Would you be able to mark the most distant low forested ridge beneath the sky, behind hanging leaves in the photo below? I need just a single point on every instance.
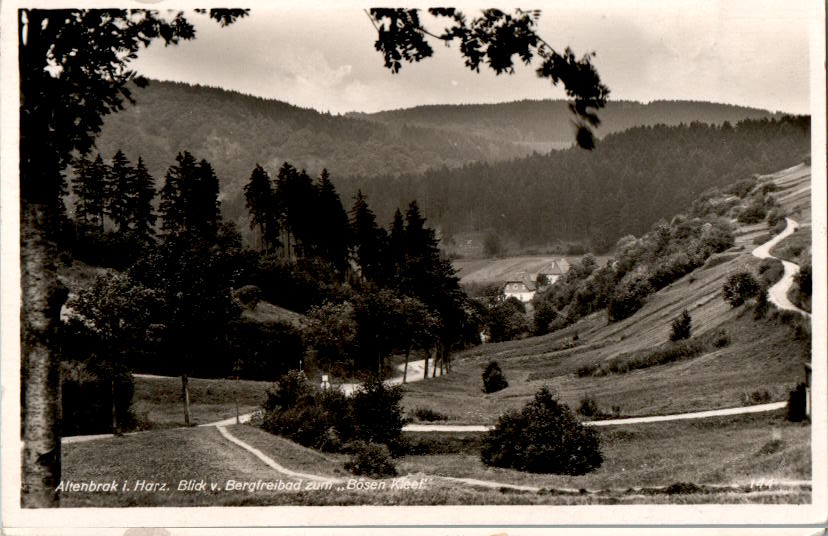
(541, 124)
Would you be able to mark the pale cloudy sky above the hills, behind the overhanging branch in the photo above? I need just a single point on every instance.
(321, 55)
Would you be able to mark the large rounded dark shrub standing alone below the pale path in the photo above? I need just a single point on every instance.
(543, 437)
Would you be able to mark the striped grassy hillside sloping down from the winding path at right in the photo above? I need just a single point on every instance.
(763, 360)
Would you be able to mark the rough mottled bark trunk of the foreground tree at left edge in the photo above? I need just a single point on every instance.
(42, 299)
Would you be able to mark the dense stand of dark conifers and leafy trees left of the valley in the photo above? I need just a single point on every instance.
(173, 299)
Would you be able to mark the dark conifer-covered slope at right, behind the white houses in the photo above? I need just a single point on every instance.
(632, 179)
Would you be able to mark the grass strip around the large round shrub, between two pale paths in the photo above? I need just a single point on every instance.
(722, 450)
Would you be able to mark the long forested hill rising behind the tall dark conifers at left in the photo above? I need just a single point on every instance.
(235, 131)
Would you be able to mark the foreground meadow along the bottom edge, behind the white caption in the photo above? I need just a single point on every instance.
(759, 454)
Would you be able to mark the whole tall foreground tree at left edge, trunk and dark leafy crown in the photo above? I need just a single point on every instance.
(74, 70)
